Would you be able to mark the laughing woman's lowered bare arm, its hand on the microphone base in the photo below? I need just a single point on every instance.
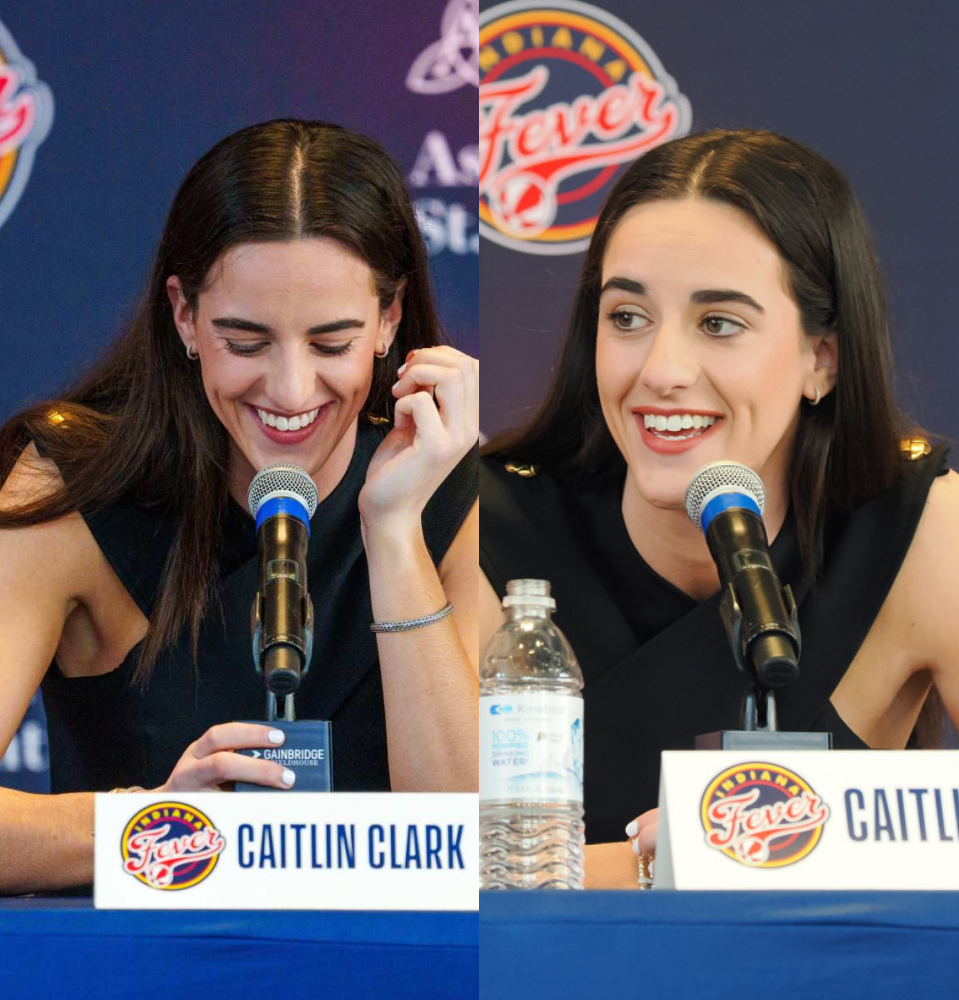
(46, 572)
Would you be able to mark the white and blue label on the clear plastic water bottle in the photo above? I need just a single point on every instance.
(531, 747)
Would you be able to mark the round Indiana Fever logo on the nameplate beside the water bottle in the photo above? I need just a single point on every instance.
(762, 815)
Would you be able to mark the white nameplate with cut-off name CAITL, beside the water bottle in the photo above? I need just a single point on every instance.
(799, 819)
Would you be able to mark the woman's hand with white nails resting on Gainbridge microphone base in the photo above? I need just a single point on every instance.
(209, 763)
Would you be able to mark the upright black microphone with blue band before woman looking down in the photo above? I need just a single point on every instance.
(282, 498)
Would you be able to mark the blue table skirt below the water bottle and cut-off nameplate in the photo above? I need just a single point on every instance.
(770, 945)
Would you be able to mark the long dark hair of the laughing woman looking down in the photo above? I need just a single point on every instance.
(138, 424)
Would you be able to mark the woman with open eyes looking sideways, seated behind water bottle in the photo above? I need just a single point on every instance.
(731, 307)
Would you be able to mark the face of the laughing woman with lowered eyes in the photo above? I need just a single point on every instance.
(286, 334)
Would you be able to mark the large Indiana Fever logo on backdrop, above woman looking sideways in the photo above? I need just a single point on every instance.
(568, 95)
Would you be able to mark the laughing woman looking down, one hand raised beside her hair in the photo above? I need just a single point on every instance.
(288, 319)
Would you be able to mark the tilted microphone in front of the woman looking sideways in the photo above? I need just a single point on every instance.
(725, 500)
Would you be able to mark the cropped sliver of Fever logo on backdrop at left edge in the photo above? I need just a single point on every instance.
(26, 113)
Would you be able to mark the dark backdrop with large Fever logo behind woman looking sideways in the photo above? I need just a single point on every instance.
(869, 85)
